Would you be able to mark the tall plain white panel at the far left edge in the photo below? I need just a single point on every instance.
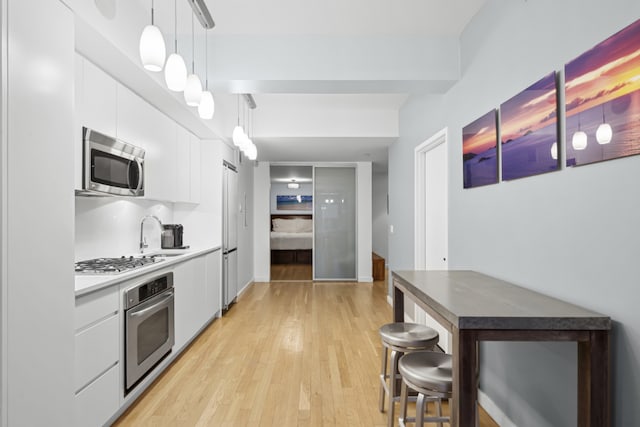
(37, 231)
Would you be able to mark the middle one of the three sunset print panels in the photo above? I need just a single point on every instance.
(529, 131)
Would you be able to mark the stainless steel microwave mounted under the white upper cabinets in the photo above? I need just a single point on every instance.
(111, 166)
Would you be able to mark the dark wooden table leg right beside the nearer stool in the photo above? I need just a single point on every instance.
(465, 381)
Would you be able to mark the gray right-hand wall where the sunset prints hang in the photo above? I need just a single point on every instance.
(572, 234)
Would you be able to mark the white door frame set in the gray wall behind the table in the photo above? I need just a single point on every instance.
(420, 207)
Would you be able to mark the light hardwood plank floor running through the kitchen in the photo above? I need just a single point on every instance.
(286, 354)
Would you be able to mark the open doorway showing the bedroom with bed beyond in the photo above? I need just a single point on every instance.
(291, 222)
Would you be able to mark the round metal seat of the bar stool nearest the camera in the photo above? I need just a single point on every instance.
(427, 369)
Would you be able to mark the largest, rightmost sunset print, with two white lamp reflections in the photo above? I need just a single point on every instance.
(603, 100)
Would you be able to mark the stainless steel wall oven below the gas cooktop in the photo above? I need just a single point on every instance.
(149, 326)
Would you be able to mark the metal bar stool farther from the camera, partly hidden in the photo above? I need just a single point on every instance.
(401, 338)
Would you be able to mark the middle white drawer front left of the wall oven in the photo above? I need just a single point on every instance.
(97, 348)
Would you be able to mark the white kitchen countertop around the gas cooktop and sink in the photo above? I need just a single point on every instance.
(87, 283)
